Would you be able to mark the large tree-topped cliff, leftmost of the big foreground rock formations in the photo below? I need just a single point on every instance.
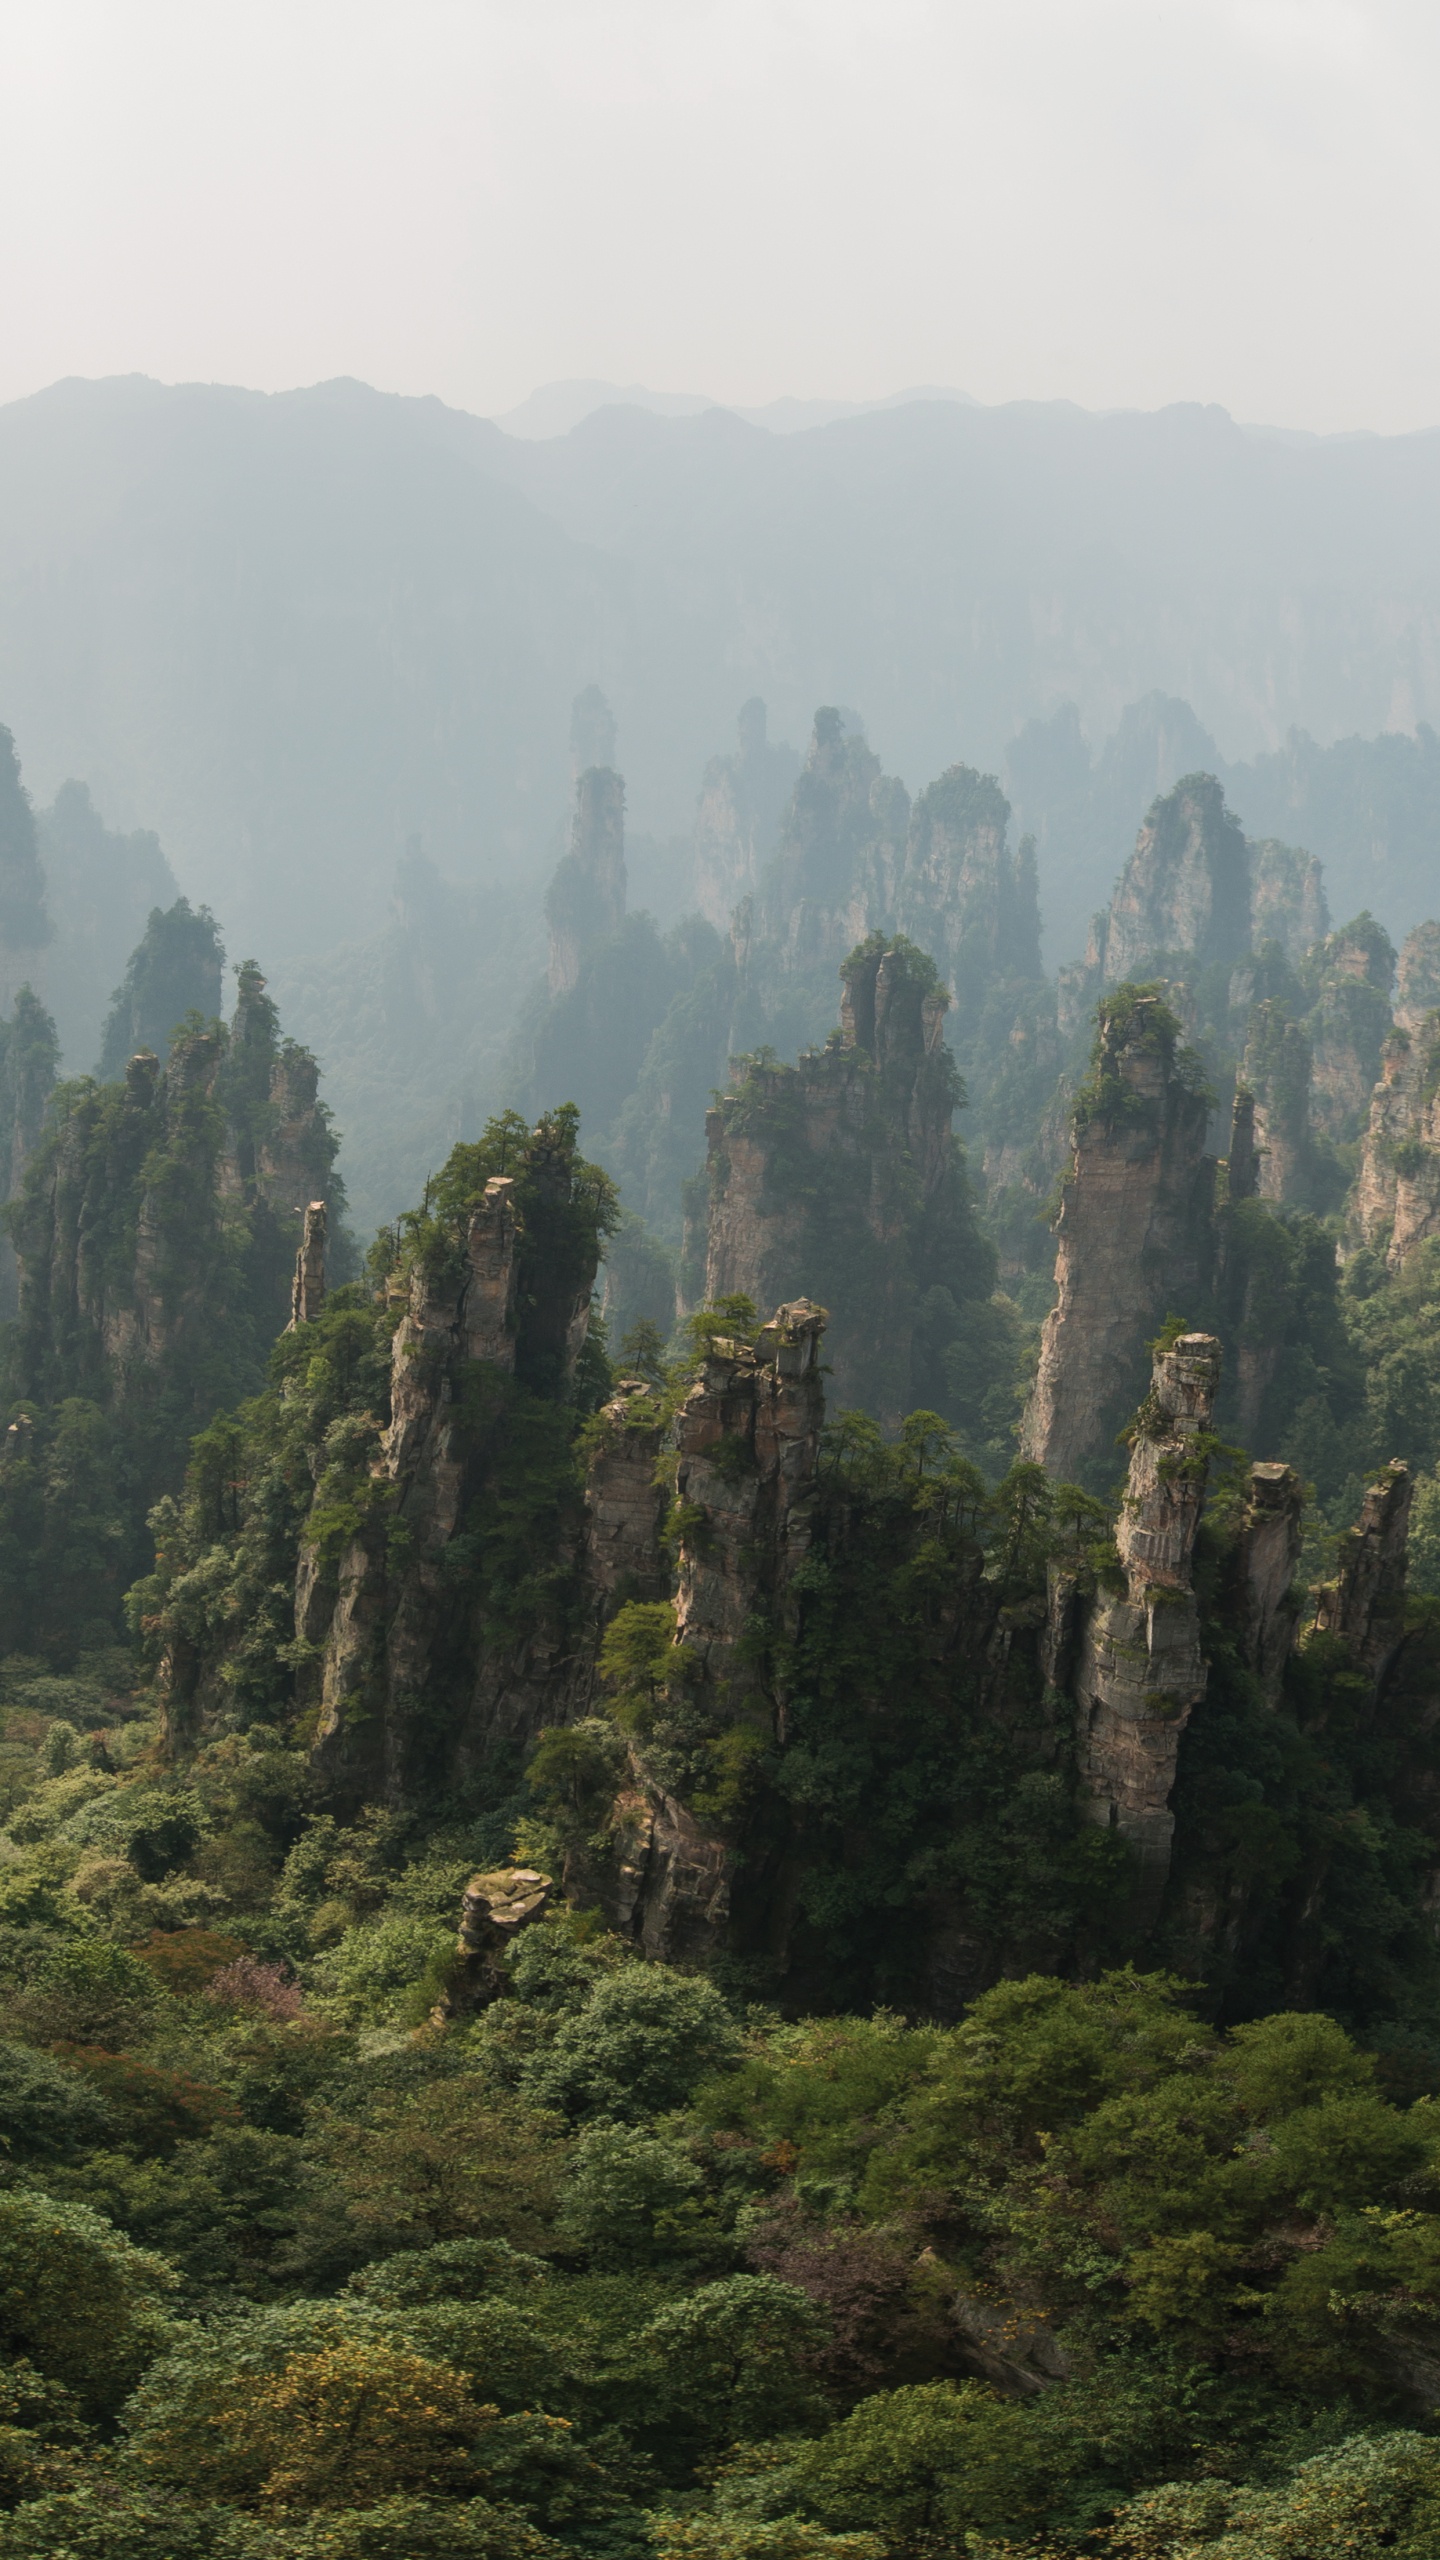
(416, 1673)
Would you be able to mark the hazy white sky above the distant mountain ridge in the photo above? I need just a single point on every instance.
(1111, 201)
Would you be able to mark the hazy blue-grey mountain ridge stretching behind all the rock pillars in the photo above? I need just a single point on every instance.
(291, 634)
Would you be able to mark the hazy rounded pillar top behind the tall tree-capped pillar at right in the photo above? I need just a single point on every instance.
(1185, 890)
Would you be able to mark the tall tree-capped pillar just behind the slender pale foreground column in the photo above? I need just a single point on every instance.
(1134, 1238)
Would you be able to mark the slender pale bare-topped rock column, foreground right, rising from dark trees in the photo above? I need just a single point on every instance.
(1141, 1668)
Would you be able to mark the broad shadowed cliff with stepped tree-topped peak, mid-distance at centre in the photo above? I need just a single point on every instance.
(839, 1176)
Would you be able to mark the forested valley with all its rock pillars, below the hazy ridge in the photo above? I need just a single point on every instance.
(732, 1855)
